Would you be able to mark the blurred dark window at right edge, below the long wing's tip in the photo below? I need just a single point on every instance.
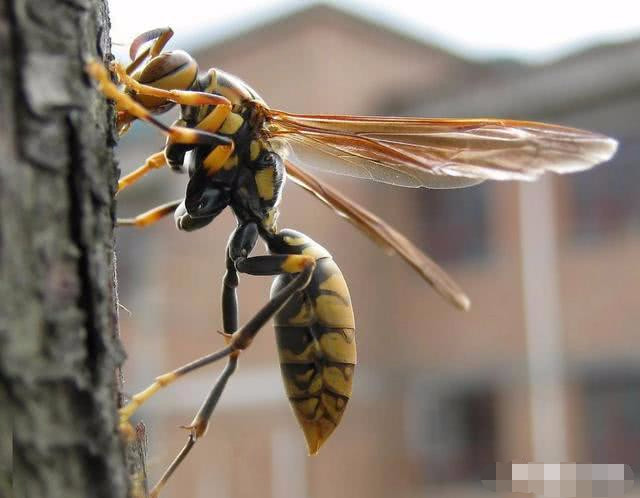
(606, 199)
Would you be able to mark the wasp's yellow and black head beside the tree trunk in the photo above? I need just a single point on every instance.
(175, 70)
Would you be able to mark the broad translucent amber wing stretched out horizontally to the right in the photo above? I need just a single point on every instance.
(438, 153)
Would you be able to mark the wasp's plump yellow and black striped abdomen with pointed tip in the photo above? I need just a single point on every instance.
(316, 343)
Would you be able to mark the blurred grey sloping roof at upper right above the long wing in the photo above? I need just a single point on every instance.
(604, 72)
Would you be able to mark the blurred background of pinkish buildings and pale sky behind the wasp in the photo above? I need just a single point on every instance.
(544, 368)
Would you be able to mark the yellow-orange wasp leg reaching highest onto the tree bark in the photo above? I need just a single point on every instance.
(178, 134)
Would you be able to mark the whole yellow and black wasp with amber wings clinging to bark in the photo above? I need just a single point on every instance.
(238, 152)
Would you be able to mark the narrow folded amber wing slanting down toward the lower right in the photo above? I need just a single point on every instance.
(380, 232)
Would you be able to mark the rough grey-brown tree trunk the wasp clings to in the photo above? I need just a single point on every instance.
(59, 348)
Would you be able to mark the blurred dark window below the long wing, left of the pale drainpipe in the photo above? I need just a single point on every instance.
(455, 223)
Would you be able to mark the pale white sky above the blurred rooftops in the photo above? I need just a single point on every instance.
(534, 31)
